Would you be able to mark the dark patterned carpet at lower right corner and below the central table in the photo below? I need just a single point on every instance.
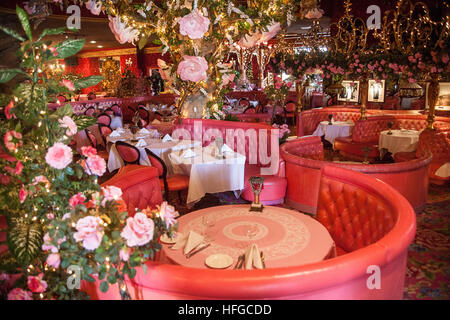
(428, 268)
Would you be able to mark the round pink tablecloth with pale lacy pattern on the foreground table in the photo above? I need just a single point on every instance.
(287, 237)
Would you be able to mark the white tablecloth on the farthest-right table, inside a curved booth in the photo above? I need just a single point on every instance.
(399, 141)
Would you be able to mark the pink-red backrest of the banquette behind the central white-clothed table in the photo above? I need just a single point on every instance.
(206, 129)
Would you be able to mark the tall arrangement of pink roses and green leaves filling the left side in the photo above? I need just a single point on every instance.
(58, 217)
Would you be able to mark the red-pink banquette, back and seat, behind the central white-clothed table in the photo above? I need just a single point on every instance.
(204, 130)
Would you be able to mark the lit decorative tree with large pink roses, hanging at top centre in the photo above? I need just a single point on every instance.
(197, 34)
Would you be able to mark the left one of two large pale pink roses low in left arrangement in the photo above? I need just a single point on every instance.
(90, 231)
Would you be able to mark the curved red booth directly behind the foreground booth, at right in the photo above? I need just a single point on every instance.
(304, 159)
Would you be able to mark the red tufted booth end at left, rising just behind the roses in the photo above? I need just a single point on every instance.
(140, 186)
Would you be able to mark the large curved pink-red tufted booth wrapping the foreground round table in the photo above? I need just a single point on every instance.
(375, 238)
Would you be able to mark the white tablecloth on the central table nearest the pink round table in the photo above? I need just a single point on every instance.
(208, 174)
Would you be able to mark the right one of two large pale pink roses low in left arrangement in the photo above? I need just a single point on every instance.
(138, 230)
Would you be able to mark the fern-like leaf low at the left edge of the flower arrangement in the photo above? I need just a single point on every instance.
(24, 240)
